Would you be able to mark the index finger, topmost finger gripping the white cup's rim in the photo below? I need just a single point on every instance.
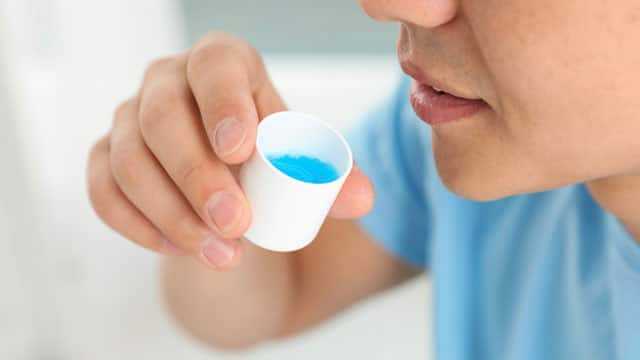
(227, 77)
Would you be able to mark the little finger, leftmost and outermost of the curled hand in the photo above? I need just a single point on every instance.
(112, 206)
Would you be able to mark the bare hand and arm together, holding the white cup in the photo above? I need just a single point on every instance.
(161, 199)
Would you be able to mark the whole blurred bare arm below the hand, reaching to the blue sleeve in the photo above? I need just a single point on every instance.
(272, 294)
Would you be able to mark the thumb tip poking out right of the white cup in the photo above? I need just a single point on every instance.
(355, 198)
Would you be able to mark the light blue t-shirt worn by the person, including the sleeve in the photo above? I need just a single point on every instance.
(540, 276)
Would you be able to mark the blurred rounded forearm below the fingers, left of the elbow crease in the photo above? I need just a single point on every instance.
(231, 309)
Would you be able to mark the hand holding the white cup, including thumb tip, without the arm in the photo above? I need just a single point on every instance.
(164, 176)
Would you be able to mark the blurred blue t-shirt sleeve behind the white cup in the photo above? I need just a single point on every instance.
(393, 148)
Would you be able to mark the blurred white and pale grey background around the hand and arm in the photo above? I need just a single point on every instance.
(71, 288)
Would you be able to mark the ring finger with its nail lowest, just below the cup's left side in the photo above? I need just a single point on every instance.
(146, 185)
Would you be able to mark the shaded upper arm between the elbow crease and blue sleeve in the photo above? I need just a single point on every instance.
(342, 267)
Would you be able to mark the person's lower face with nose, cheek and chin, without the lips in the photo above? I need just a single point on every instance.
(560, 81)
